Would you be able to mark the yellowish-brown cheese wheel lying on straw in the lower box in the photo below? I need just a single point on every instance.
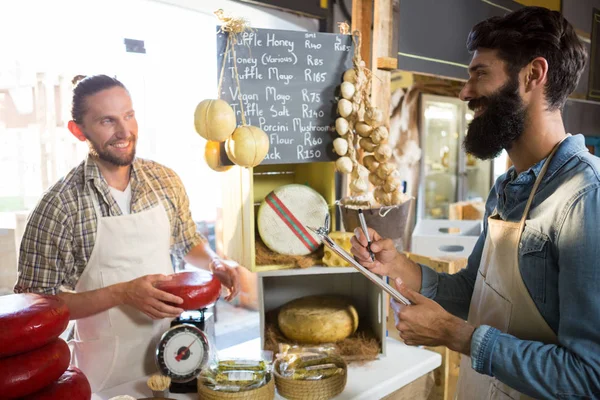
(318, 319)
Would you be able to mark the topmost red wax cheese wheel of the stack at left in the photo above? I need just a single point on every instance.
(30, 321)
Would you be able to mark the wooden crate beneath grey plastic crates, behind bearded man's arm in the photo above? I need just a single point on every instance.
(446, 375)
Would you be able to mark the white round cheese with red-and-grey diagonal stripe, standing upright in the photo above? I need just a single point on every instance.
(284, 215)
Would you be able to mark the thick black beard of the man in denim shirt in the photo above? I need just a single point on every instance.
(501, 123)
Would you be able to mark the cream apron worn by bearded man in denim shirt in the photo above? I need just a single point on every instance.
(501, 299)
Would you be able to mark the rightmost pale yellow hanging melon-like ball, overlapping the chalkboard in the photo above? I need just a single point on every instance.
(248, 146)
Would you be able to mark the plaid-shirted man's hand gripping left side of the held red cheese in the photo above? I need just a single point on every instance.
(141, 294)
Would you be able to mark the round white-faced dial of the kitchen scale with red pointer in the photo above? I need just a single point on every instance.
(182, 352)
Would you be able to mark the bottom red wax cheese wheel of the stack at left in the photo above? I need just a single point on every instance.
(72, 385)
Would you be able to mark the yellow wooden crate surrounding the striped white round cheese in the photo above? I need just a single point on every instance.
(245, 188)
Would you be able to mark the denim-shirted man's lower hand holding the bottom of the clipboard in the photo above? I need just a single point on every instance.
(426, 323)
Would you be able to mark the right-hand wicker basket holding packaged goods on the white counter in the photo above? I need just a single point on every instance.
(322, 389)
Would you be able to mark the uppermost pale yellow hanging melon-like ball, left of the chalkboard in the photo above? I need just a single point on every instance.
(214, 120)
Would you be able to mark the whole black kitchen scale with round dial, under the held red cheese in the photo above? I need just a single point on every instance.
(183, 351)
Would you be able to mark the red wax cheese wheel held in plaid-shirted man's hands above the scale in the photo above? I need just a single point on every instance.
(197, 289)
